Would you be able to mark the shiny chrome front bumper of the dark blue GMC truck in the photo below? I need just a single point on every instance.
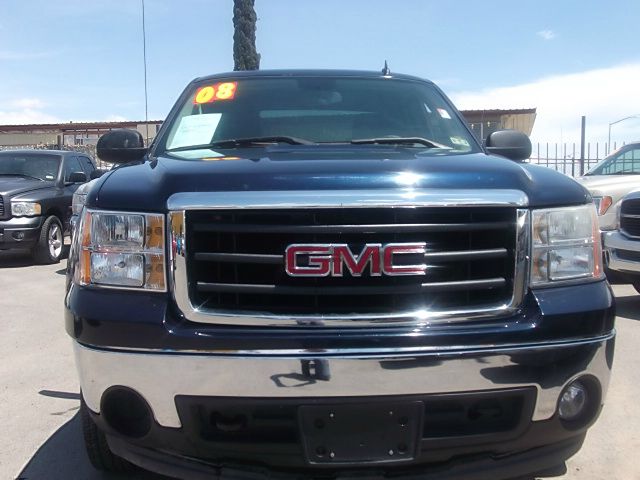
(160, 376)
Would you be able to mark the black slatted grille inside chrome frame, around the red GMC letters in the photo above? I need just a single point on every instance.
(235, 260)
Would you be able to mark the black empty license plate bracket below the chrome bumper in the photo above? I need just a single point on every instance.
(361, 433)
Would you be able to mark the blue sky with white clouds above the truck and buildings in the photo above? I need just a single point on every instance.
(81, 60)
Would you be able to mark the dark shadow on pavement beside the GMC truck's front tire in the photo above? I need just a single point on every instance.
(62, 457)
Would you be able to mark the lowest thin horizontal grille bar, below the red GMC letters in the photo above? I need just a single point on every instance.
(352, 290)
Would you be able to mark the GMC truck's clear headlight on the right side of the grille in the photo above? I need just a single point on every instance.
(565, 245)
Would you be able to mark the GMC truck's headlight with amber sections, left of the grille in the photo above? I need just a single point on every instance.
(120, 249)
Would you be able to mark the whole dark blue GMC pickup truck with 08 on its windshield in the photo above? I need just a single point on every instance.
(323, 274)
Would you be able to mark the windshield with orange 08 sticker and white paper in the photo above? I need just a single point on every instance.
(329, 110)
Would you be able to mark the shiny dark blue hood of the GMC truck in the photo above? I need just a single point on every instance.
(147, 186)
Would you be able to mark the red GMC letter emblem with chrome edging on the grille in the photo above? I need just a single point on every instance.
(334, 259)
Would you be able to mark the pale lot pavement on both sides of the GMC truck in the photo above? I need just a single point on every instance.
(39, 392)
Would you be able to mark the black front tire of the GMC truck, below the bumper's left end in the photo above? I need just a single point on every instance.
(98, 451)
